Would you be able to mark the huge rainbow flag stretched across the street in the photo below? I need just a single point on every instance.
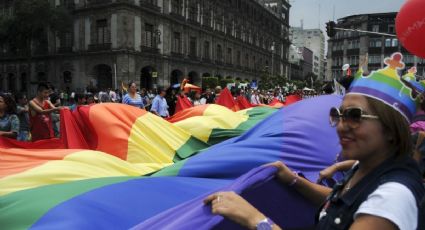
(136, 170)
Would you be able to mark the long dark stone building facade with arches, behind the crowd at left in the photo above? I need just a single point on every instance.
(155, 43)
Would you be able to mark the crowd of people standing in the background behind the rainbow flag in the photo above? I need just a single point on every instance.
(38, 118)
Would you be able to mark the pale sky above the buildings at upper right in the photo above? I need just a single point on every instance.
(308, 10)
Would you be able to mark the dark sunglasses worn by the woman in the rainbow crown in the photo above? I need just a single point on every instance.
(351, 116)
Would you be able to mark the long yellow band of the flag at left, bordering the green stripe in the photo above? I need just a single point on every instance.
(85, 164)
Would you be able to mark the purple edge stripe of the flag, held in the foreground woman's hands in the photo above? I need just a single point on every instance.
(259, 187)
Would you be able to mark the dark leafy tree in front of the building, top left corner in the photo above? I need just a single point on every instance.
(27, 28)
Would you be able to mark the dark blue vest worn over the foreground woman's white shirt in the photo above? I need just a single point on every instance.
(340, 209)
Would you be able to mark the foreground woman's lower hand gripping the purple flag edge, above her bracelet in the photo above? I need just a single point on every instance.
(235, 208)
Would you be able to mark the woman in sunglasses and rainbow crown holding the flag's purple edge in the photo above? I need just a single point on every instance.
(384, 189)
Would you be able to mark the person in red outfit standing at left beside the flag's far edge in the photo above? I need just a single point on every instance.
(41, 126)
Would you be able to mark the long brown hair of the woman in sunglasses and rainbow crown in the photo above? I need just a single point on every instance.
(395, 125)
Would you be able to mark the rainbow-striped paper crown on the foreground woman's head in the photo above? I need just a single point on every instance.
(387, 86)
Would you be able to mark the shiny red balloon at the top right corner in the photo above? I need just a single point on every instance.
(410, 27)
